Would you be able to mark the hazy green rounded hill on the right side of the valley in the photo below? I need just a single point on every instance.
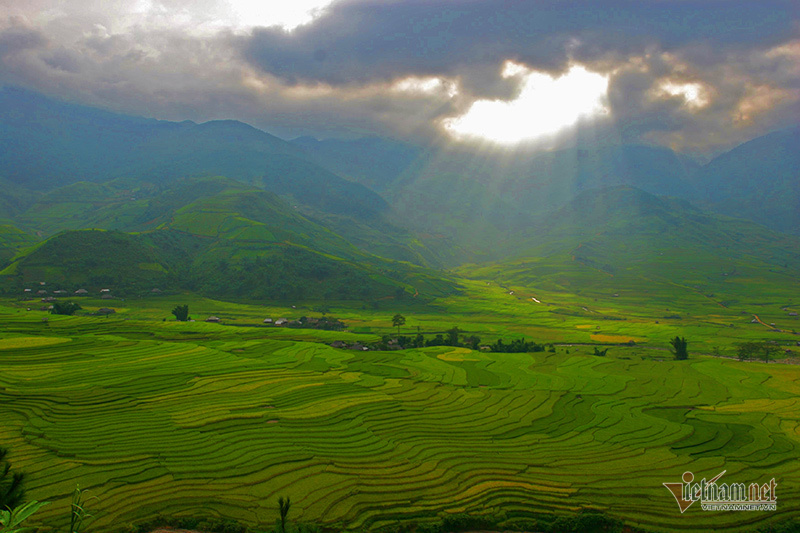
(612, 240)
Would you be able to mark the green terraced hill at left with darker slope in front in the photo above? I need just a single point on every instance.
(215, 236)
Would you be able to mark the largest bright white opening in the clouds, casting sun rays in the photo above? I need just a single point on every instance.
(544, 106)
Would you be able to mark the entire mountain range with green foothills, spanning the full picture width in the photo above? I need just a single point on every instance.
(227, 210)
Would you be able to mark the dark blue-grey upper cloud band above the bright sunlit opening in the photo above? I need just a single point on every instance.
(361, 41)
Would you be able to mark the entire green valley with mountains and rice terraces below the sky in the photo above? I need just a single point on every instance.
(601, 255)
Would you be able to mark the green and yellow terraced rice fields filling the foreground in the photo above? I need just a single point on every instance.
(202, 419)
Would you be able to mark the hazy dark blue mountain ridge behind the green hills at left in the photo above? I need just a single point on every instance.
(45, 144)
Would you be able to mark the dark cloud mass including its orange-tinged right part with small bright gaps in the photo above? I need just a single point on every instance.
(695, 75)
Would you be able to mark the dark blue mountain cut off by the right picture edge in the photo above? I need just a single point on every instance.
(758, 180)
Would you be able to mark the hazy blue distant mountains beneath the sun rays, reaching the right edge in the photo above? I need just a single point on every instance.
(436, 189)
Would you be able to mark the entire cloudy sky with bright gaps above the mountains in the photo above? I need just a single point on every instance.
(696, 76)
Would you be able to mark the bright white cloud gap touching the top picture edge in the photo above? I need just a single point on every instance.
(289, 15)
